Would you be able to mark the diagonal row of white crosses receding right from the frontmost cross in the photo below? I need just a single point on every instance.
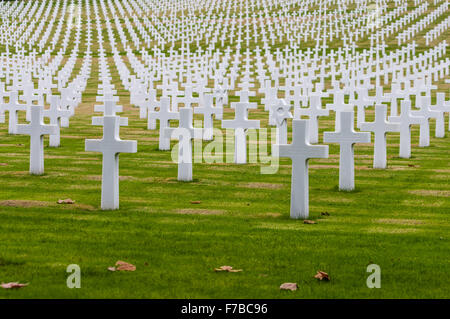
(300, 151)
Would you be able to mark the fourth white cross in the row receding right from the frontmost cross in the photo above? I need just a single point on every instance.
(405, 119)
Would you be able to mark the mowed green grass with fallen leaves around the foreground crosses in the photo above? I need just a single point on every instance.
(397, 218)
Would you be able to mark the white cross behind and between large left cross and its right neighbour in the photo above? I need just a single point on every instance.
(164, 115)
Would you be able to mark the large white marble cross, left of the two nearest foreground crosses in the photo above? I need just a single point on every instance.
(110, 146)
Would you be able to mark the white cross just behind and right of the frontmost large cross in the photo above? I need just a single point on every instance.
(346, 138)
